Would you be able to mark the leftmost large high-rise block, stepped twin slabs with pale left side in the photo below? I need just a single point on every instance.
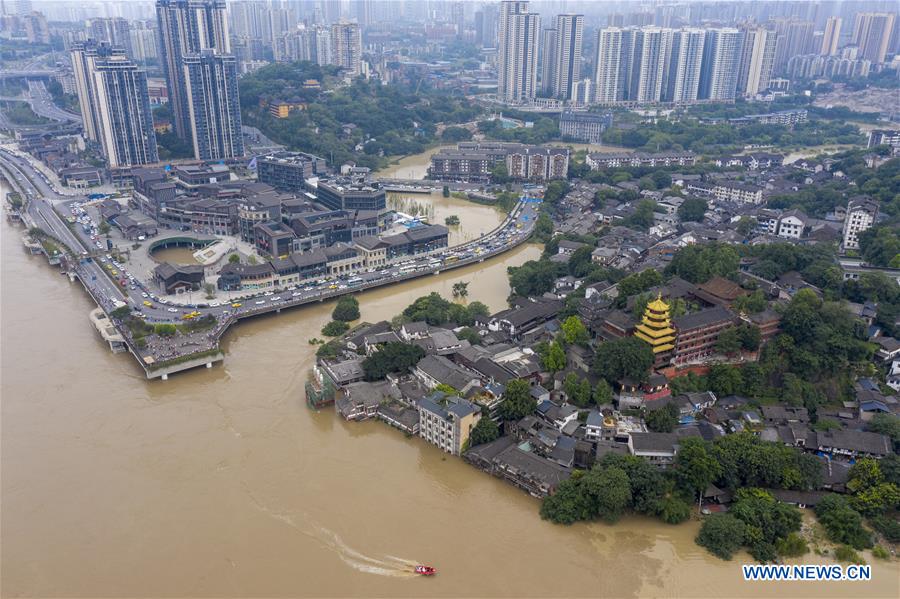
(115, 104)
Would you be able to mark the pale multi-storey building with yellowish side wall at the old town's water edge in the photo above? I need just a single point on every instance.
(447, 421)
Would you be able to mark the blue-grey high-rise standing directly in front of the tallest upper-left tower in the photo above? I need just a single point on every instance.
(211, 92)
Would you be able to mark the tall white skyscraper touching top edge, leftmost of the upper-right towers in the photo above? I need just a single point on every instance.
(517, 51)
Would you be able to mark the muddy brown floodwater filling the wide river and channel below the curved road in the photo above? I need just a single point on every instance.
(222, 483)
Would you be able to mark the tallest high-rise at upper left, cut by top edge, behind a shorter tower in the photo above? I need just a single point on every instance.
(188, 27)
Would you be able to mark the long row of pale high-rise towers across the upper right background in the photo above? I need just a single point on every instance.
(638, 62)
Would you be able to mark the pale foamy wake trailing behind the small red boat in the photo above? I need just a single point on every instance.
(384, 565)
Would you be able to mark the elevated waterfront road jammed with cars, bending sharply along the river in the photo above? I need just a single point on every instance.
(112, 285)
